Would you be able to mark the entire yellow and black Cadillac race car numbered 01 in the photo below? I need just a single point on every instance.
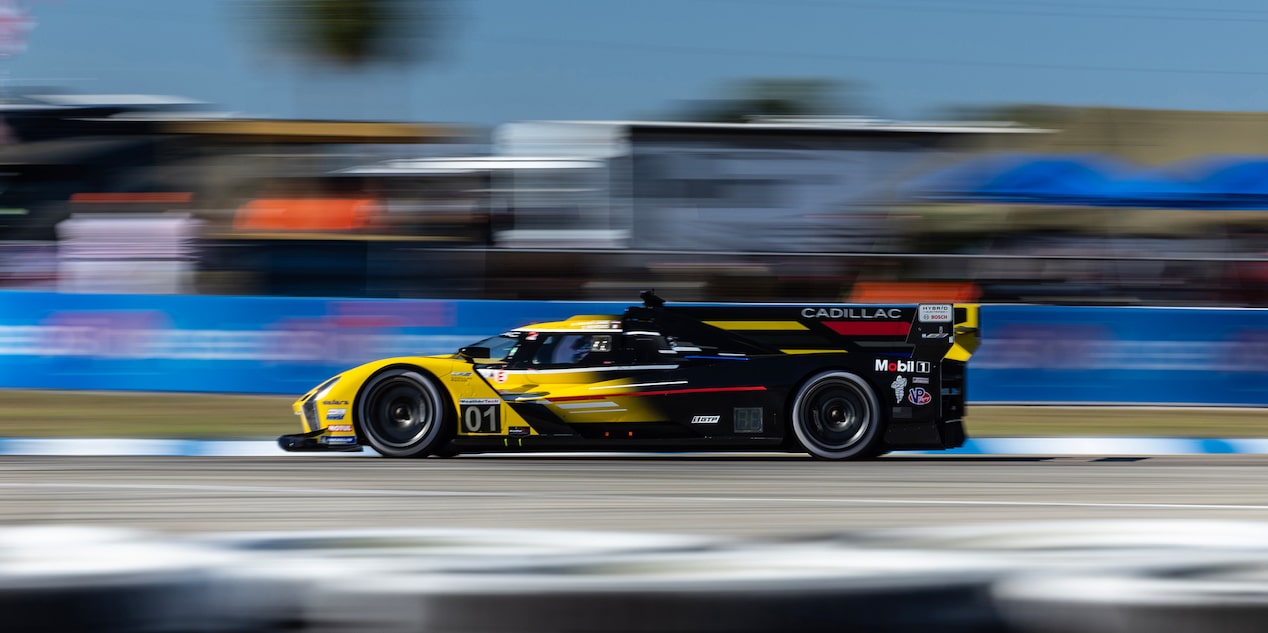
(836, 381)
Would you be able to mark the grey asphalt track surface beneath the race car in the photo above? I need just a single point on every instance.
(717, 495)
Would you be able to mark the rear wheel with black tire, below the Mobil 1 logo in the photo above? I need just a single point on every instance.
(836, 415)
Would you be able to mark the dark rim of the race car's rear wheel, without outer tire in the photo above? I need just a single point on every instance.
(836, 415)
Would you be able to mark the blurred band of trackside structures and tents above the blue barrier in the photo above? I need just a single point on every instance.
(1084, 207)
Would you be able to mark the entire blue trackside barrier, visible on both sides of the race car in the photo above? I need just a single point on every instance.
(1030, 355)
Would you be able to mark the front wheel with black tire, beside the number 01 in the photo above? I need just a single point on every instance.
(403, 413)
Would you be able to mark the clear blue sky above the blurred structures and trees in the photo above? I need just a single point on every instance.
(510, 60)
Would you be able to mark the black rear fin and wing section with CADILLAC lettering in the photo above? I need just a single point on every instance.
(926, 332)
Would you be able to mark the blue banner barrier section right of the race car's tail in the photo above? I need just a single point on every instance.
(1122, 356)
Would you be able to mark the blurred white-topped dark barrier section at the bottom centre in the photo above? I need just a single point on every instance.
(735, 591)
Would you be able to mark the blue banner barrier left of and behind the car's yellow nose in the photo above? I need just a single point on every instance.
(235, 344)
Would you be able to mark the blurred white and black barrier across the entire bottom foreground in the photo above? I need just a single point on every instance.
(1026, 578)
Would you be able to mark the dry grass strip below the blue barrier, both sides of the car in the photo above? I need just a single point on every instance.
(70, 414)
